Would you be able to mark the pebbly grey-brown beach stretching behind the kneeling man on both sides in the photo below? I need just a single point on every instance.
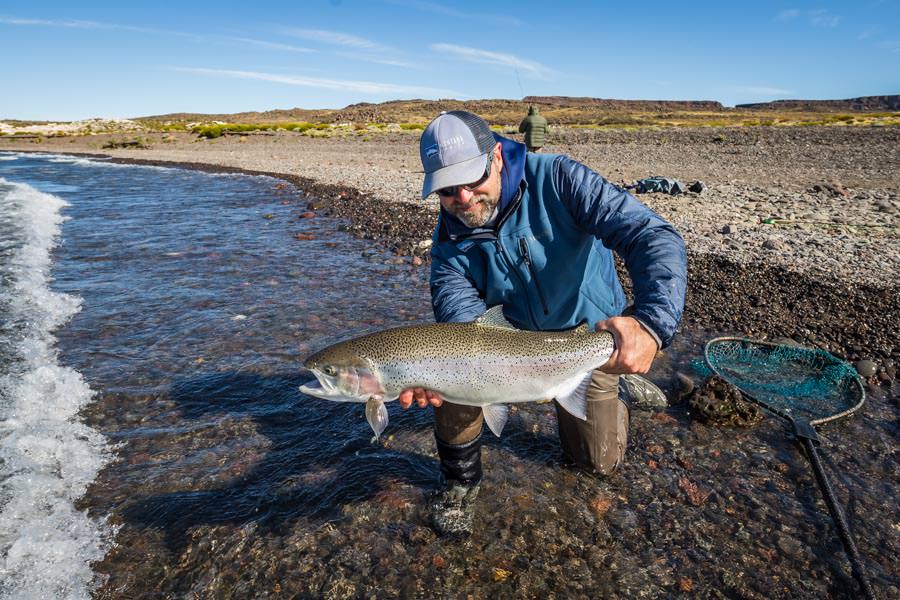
(824, 273)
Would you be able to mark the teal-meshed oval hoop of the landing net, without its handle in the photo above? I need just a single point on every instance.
(799, 383)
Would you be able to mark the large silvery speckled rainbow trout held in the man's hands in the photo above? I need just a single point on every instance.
(486, 363)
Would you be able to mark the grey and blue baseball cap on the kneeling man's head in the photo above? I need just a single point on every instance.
(454, 150)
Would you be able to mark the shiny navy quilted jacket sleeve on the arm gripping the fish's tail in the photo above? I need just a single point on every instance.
(653, 251)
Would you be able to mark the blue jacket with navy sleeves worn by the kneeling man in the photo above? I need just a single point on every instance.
(548, 259)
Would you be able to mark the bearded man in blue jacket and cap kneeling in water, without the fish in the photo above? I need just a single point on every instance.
(535, 233)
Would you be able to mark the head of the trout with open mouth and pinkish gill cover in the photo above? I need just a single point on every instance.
(342, 376)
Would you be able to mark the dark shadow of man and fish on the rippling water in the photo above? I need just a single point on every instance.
(317, 460)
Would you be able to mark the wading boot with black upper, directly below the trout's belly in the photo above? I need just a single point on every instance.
(453, 506)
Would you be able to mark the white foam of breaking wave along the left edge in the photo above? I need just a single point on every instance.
(47, 457)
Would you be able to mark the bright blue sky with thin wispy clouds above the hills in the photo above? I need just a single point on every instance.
(75, 60)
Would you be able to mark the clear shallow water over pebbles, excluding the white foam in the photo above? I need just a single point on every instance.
(197, 306)
